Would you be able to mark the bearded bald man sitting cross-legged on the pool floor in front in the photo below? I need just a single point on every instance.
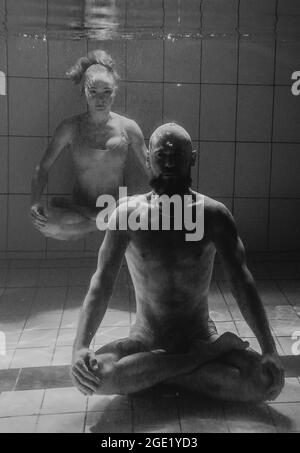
(174, 340)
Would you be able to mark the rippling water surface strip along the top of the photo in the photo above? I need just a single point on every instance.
(153, 19)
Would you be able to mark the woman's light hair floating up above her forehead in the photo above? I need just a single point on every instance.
(99, 57)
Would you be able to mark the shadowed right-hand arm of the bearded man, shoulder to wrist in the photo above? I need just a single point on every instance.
(233, 256)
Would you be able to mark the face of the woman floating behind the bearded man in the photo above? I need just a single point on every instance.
(100, 93)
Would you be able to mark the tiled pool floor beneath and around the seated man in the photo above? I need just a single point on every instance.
(39, 315)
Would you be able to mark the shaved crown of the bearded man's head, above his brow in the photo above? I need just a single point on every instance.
(169, 135)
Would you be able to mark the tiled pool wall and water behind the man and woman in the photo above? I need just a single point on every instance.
(221, 68)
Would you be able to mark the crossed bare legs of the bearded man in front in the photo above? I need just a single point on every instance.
(225, 372)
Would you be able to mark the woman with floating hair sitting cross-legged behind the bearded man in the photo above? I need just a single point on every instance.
(99, 141)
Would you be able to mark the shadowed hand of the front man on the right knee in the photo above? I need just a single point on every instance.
(275, 371)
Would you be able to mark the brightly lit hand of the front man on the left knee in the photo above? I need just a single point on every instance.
(83, 369)
